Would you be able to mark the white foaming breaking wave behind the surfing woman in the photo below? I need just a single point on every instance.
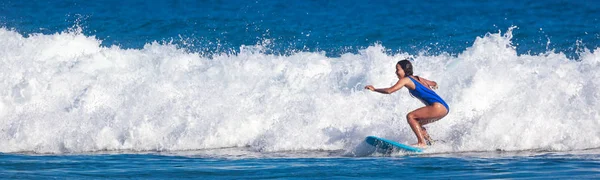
(65, 93)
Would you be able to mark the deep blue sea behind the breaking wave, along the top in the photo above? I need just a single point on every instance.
(331, 26)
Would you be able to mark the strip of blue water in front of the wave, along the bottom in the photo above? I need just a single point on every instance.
(157, 166)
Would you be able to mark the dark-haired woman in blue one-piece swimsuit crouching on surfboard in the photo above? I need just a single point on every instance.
(421, 88)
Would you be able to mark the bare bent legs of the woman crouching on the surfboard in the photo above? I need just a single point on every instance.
(425, 115)
